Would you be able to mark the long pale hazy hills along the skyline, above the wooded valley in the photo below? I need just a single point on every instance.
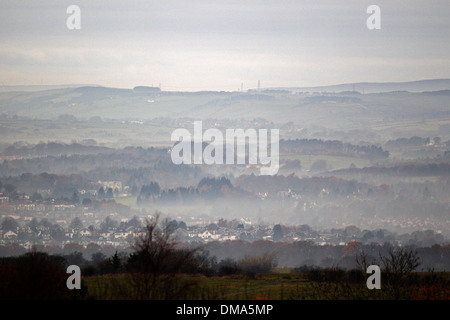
(397, 106)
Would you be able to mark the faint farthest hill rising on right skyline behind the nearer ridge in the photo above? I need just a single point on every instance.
(379, 87)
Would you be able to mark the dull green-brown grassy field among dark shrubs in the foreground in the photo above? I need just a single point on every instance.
(273, 286)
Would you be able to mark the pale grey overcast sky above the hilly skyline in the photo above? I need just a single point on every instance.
(217, 45)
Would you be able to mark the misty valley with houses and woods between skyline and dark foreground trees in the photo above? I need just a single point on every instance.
(83, 168)
